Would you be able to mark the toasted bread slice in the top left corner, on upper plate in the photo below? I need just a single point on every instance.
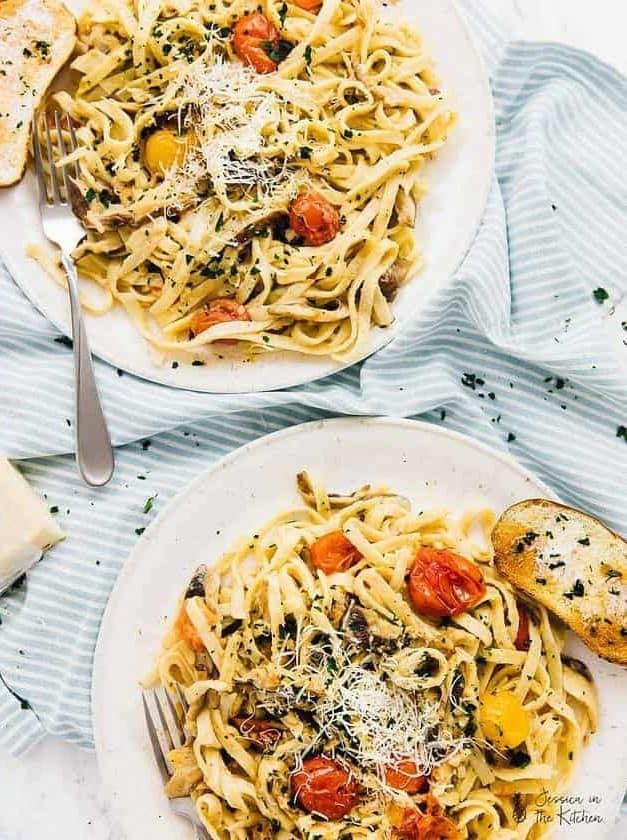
(36, 39)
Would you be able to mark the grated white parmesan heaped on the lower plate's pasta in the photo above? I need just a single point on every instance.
(375, 722)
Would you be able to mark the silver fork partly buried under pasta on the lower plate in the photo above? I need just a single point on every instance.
(165, 729)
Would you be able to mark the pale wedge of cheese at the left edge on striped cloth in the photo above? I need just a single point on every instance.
(26, 527)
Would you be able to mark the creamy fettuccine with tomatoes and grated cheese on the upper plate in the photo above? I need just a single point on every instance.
(251, 173)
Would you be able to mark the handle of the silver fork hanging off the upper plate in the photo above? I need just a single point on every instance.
(94, 453)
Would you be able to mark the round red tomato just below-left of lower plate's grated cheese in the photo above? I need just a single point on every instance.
(324, 786)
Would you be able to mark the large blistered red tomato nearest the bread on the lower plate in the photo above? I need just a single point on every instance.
(442, 583)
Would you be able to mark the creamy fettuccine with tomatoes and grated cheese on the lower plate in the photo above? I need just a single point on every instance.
(357, 669)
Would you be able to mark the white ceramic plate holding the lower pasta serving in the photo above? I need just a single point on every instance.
(424, 462)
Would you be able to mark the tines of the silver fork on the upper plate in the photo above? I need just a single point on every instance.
(59, 186)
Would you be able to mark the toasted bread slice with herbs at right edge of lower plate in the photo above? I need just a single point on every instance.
(573, 565)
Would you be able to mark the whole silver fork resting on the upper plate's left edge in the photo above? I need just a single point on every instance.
(94, 453)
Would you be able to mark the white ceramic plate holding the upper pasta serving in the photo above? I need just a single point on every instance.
(459, 181)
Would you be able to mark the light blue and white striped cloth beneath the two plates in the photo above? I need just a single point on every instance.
(515, 351)
